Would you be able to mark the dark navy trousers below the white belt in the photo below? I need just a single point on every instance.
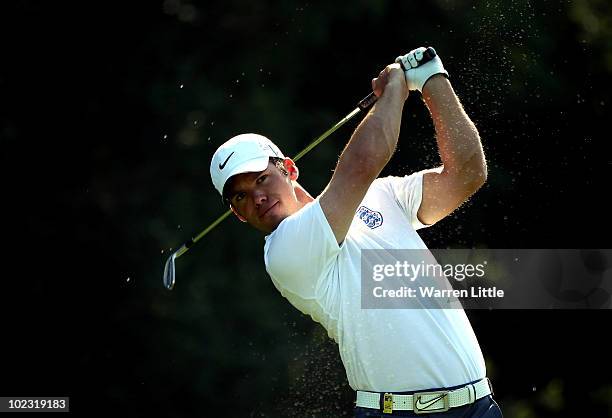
(483, 408)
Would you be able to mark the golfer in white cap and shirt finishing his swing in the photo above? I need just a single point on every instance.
(401, 362)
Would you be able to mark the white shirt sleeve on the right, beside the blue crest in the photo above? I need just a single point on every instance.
(408, 192)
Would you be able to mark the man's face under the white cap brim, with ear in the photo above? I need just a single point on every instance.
(265, 198)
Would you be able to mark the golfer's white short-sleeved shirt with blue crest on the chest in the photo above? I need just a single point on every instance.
(383, 350)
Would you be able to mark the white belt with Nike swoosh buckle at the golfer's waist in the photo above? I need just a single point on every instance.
(426, 402)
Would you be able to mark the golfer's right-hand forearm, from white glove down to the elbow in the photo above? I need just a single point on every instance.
(458, 140)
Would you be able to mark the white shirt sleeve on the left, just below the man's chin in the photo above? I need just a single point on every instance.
(301, 252)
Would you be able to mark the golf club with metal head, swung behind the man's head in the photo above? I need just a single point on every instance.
(169, 269)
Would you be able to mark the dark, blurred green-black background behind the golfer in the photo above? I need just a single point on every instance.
(105, 157)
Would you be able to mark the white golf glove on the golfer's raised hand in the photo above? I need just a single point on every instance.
(419, 66)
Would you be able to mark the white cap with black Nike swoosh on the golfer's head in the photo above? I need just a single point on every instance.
(245, 153)
